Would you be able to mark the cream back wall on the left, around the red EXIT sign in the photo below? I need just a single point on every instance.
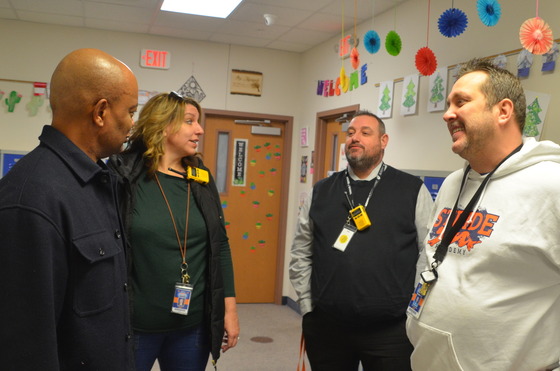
(34, 50)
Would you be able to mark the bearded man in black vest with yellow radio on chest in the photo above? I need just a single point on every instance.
(354, 257)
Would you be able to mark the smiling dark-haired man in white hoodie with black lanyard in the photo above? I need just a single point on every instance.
(489, 298)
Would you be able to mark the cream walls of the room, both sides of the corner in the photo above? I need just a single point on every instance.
(31, 51)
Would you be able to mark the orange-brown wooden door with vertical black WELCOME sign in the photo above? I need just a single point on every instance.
(248, 169)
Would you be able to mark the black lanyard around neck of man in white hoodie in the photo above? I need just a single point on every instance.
(453, 225)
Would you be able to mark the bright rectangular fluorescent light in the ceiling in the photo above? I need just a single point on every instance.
(208, 8)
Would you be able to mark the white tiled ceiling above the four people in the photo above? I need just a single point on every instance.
(300, 24)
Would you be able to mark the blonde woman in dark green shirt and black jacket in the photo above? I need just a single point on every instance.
(181, 272)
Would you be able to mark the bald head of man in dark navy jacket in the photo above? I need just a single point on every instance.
(93, 99)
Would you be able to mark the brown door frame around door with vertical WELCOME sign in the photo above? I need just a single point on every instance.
(288, 122)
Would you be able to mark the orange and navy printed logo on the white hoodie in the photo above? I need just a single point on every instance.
(479, 224)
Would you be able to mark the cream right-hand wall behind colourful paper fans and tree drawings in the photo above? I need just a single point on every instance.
(421, 141)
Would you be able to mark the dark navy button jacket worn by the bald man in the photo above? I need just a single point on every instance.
(63, 296)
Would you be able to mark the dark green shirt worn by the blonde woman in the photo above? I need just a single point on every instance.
(157, 257)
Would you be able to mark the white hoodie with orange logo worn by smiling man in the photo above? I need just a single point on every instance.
(496, 304)
